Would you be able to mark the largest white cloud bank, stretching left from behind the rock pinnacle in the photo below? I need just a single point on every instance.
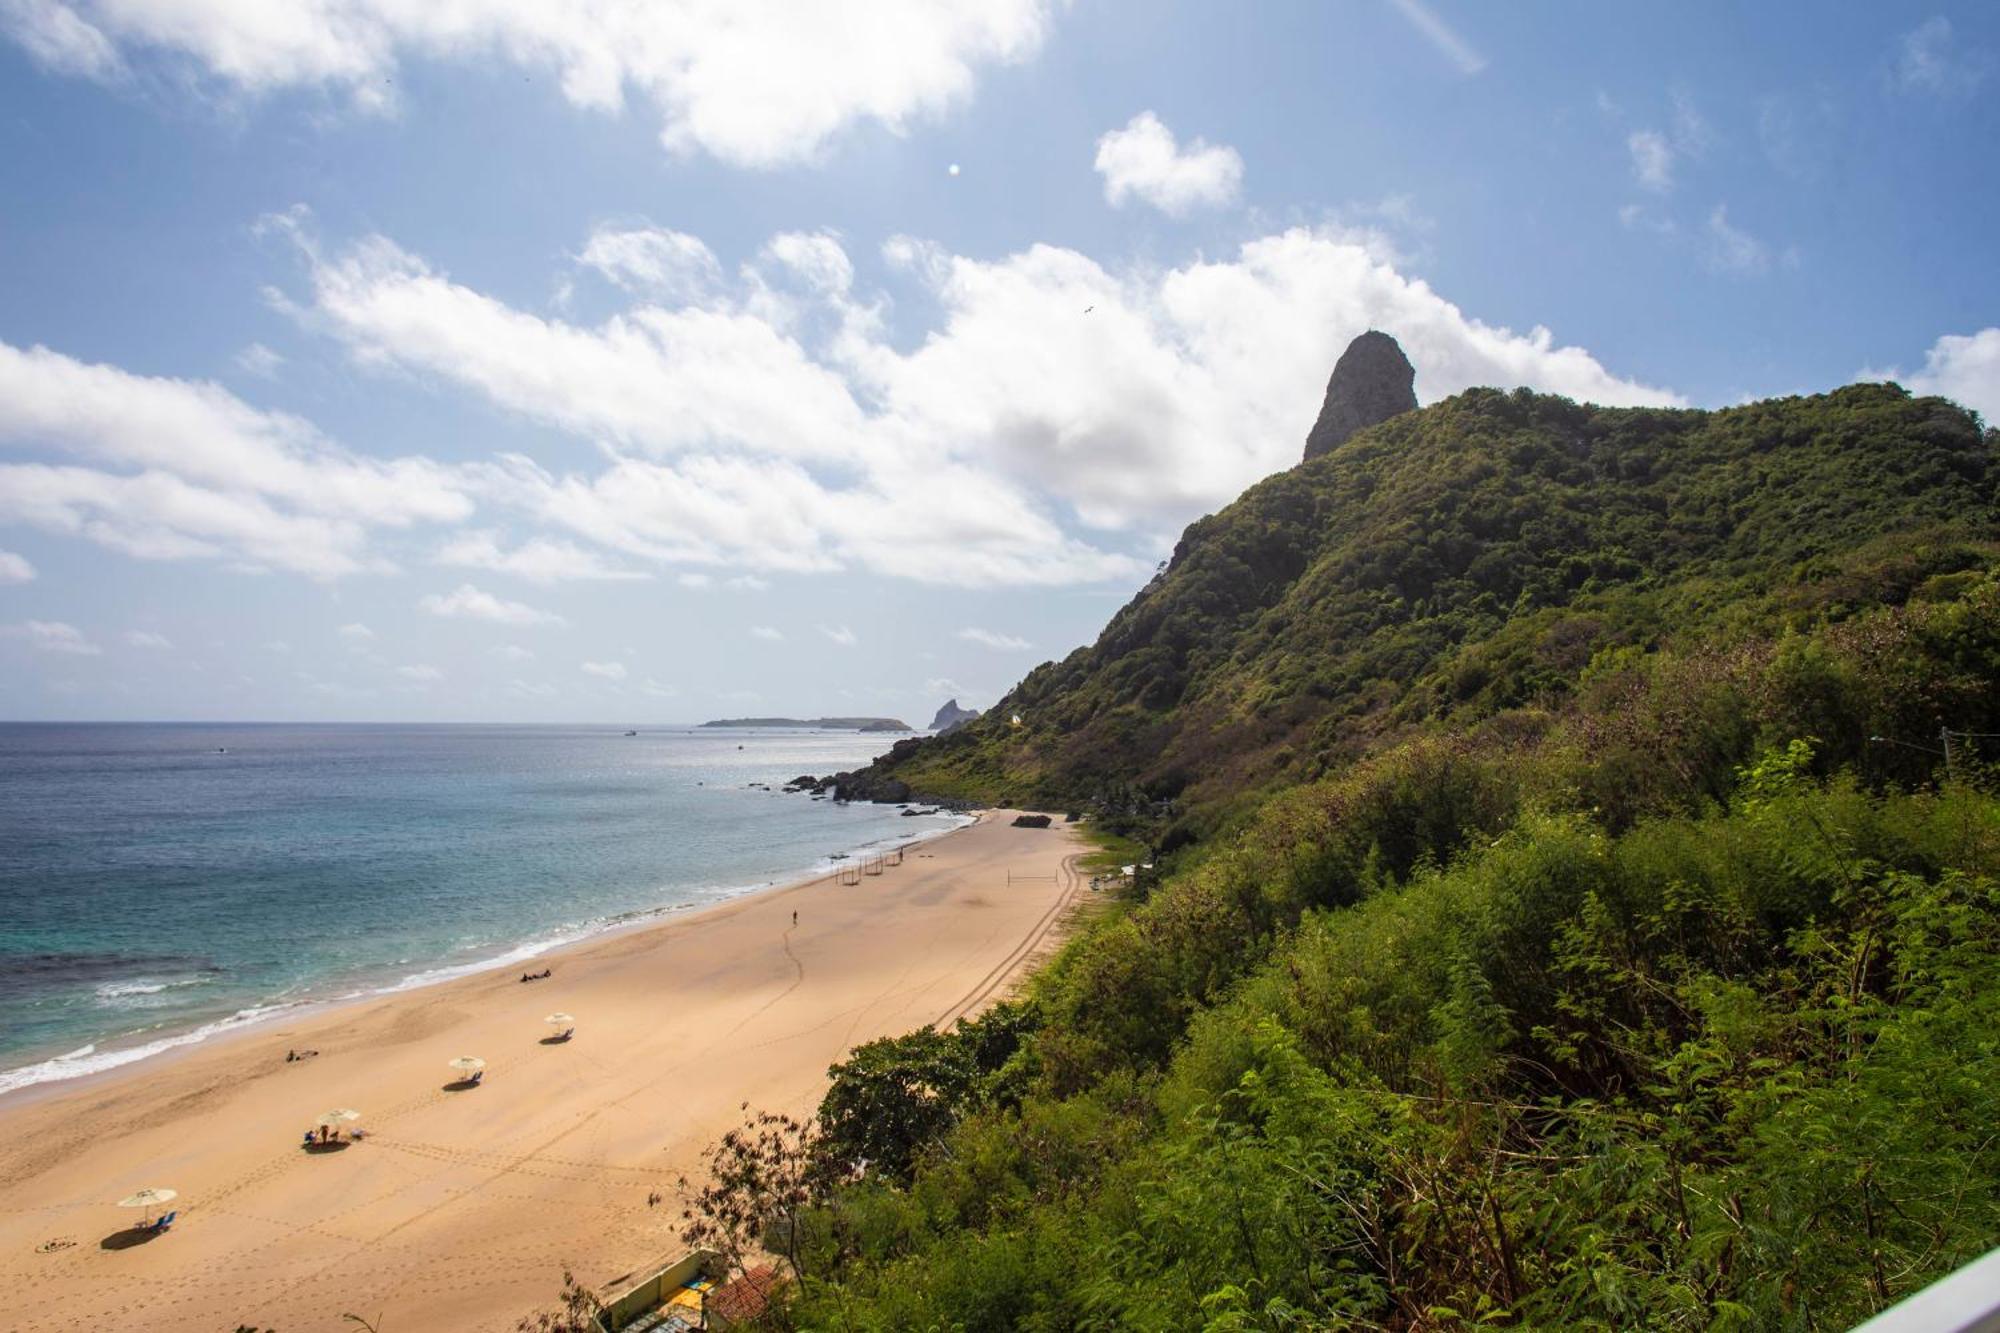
(793, 435)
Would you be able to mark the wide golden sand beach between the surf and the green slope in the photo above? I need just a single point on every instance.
(461, 1208)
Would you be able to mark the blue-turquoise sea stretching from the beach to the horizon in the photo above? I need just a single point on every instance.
(161, 884)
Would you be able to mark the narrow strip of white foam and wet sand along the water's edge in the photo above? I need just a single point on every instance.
(247, 1022)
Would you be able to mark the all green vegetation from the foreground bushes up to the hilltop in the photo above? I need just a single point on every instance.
(1605, 940)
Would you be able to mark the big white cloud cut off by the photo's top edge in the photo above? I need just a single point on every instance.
(755, 83)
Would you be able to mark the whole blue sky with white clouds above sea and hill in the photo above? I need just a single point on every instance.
(647, 361)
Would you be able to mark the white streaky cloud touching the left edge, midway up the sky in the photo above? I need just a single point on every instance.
(183, 469)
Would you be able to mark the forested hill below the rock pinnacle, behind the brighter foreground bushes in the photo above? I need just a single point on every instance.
(1467, 559)
